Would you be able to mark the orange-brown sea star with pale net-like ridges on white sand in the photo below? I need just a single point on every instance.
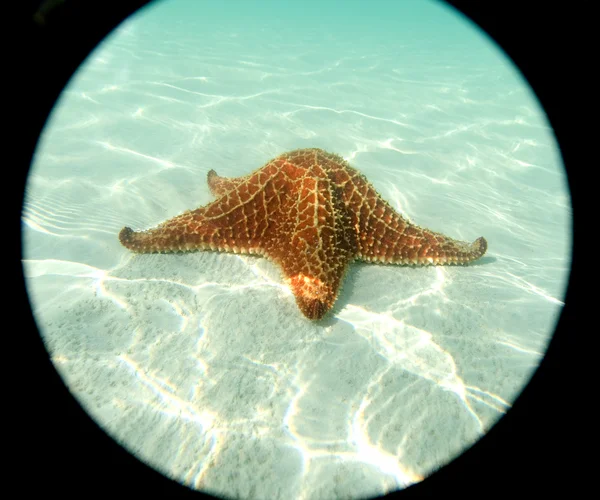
(312, 214)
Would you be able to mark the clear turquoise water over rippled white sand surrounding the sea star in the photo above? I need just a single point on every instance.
(201, 364)
